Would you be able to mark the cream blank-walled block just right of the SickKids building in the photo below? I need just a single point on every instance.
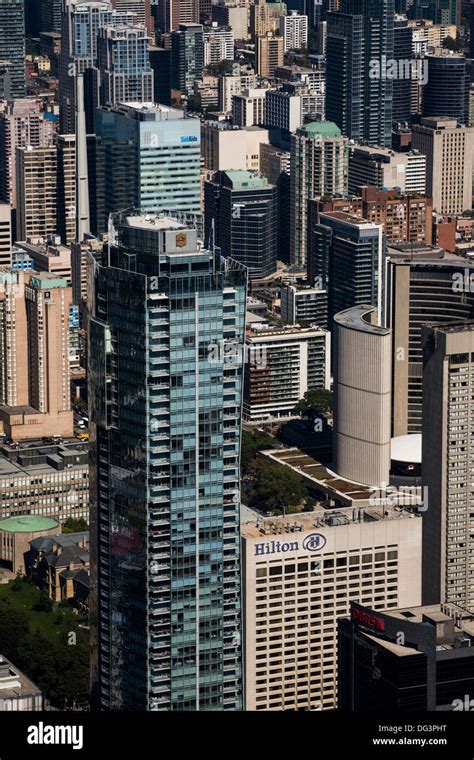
(225, 147)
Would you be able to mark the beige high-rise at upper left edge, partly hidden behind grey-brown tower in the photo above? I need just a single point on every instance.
(21, 124)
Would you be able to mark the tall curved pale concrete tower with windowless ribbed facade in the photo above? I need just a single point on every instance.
(362, 384)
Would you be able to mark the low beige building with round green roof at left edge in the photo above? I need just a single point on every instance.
(15, 536)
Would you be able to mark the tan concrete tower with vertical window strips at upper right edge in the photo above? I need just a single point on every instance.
(449, 151)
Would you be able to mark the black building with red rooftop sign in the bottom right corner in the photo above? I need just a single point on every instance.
(415, 659)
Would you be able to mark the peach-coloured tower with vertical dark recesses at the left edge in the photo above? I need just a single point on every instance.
(34, 346)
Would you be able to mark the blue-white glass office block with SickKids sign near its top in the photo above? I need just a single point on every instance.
(148, 157)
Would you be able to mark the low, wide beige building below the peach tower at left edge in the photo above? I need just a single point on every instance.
(46, 480)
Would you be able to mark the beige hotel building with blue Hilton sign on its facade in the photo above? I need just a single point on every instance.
(299, 575)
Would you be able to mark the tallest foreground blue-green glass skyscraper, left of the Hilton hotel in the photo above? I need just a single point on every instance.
(165, 410)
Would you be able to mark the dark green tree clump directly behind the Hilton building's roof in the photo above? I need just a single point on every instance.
(275, 488)
